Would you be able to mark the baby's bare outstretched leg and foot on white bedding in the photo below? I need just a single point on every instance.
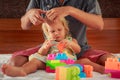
(27, 68)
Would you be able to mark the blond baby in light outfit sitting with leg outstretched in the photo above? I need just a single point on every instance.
(56, 32)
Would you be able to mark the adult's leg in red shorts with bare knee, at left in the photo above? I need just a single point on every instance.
(21, 57)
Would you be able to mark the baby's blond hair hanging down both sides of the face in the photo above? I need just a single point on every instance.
(64, 23)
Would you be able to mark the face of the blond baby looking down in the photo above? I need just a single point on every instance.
(56, 31)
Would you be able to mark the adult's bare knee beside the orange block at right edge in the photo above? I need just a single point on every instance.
(104, 57)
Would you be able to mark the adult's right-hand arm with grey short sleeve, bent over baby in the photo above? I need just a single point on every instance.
(91, 17)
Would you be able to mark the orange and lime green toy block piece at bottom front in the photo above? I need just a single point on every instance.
(67, 73)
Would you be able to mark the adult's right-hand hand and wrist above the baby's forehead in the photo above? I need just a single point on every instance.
(55, 13)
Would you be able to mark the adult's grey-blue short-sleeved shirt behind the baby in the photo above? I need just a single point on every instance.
(77, 29)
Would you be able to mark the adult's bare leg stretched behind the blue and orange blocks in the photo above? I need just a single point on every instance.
(96, 67)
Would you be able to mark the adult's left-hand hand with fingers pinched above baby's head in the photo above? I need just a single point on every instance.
(35, 17)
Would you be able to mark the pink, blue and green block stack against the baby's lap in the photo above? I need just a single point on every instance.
(59, 59)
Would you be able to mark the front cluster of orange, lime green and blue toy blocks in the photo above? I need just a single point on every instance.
(73, 72)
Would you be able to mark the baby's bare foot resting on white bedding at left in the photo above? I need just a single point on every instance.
(12, 70)
